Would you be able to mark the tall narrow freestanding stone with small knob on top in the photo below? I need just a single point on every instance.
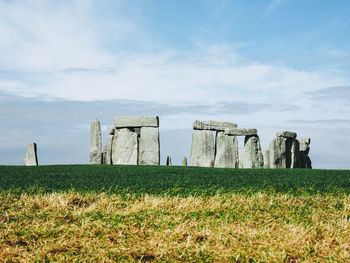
(95, 143)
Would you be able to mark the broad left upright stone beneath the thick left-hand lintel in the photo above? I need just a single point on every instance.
(124, 147)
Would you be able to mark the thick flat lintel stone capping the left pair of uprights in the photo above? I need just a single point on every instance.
(135, 121)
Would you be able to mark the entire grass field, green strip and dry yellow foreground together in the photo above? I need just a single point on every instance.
(171, 214)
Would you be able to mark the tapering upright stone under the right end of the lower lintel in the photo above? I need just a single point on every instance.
(252, 156)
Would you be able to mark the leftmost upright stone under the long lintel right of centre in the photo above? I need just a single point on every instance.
(202, 149)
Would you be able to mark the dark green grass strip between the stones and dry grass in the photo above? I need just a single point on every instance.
(171, 180)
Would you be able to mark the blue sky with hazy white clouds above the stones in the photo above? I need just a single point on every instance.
(270, 64)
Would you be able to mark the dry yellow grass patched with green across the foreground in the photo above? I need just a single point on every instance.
(238, 228)
